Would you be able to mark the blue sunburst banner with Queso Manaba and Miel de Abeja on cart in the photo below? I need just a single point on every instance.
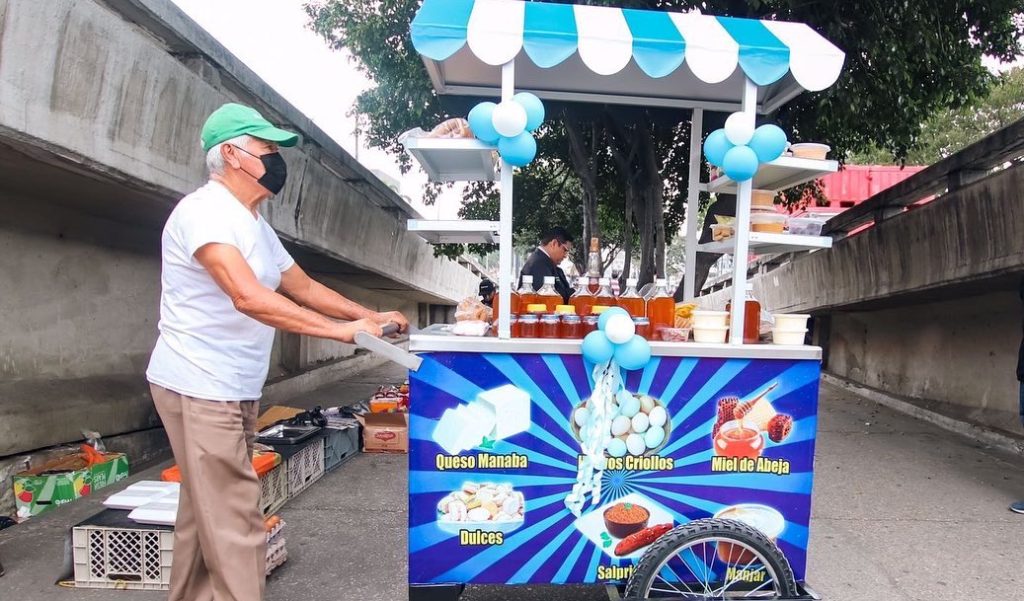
(495, 451)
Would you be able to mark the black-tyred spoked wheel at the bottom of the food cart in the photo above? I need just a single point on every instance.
(713, 560)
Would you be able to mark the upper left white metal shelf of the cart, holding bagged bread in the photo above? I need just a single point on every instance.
(455, 159)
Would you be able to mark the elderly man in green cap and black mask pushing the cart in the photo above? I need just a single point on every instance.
(228, 285)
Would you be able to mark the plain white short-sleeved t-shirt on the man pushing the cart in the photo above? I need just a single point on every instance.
(207, 350)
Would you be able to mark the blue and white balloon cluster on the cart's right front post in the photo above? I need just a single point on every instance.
(740, 150)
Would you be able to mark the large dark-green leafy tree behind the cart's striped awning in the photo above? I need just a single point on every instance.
(907, 63)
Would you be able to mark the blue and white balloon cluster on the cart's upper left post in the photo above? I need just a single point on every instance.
(510, 125)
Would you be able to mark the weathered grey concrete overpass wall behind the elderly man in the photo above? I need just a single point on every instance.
(100, 122)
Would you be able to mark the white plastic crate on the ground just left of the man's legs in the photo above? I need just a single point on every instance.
(121, 559)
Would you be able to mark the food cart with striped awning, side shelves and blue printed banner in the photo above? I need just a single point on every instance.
(505, 486)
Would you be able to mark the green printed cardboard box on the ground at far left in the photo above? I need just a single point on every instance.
(38, 490)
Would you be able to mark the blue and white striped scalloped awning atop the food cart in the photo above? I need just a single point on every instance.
(567, 52)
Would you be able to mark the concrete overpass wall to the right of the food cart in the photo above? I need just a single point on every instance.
(923, 306)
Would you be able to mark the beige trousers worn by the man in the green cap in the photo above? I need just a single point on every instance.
(220, 537)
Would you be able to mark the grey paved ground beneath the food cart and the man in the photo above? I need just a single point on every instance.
(903, 511)
